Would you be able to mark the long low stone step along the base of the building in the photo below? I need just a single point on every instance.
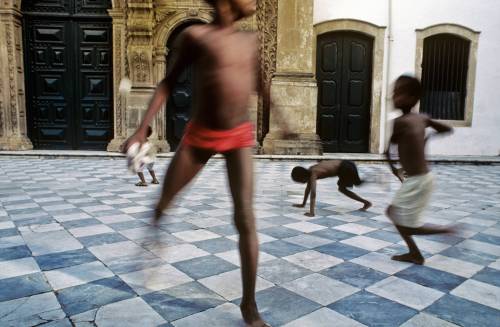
(359, 157)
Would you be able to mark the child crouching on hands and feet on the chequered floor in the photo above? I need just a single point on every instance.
(346, 171)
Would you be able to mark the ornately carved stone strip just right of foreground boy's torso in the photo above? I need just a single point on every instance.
(267, 24)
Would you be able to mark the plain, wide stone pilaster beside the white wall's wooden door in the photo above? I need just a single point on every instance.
(293, 87)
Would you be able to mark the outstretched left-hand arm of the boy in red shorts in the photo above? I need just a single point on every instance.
(162, 91)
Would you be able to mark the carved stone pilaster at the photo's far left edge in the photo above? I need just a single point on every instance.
(13, 129)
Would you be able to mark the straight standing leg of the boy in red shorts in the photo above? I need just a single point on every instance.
(240, 172)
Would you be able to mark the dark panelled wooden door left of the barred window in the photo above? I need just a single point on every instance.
(344, 74)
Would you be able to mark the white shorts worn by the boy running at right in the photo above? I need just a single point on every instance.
(411, 200)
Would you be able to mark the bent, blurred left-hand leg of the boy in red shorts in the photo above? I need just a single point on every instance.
(185, 164)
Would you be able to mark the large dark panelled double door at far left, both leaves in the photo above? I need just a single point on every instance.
(68, 47)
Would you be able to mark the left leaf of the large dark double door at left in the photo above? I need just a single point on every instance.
(49, 96)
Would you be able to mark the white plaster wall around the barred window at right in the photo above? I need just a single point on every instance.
(483, 137)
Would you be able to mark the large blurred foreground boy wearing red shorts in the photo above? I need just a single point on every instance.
(226, 62)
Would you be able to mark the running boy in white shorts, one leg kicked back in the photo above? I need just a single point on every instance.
(409, 135)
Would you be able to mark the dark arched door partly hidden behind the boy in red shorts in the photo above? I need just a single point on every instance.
(180, 103)
